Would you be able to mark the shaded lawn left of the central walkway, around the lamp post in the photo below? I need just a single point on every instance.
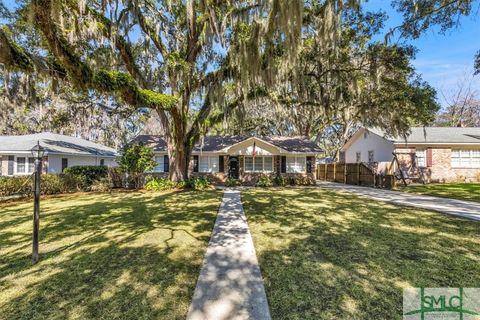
(105, 256)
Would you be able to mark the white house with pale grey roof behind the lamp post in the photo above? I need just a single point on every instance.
(61, 152)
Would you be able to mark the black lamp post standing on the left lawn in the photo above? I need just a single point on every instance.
(37, 152)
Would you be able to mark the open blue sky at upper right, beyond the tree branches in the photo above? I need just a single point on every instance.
(442, 59)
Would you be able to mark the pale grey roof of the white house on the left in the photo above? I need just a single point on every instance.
(54, 143)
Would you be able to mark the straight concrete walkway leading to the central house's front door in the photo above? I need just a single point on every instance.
(230, 285)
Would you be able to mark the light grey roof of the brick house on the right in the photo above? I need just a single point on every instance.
(437, 135)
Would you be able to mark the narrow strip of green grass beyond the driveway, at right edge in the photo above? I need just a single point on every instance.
(461, 191)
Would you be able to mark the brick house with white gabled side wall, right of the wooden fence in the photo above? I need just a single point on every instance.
(432, 154)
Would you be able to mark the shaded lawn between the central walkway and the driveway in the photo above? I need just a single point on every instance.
(327, 255)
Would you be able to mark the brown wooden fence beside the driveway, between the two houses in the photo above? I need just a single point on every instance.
(354, 173)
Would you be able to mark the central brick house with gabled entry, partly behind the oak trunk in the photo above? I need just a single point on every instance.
(241, 157)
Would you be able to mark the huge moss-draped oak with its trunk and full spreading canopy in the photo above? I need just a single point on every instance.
(289, 67)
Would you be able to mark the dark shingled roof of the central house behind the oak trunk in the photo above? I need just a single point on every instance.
(220, 143)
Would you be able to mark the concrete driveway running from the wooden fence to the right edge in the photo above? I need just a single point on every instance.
(465, 209)
